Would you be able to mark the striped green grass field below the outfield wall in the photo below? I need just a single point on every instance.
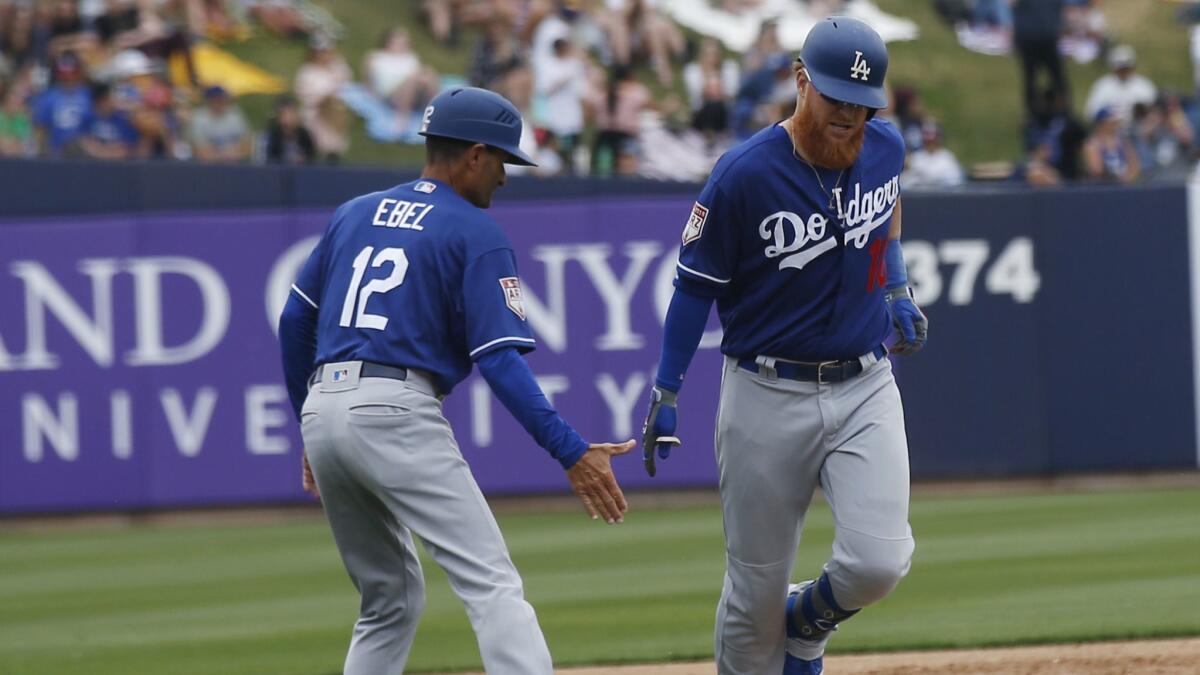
(272, 599)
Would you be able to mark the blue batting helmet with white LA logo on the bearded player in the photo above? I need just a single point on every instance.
(847, 61)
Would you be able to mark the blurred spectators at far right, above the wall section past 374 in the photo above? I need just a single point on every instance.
(1129, 130)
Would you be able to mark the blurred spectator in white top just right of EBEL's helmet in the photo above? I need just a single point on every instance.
(560, 82)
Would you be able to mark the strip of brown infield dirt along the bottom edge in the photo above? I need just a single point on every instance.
(1149, 658)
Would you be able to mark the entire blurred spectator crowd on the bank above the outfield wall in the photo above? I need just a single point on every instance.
(113, 80)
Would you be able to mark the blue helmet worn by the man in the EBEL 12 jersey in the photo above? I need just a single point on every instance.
(478, 116)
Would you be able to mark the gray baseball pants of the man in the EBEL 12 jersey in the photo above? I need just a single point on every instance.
(388, 465)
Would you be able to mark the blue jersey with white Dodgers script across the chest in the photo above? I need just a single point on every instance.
(794, 277)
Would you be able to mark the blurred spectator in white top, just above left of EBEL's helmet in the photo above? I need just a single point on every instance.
(394, 74)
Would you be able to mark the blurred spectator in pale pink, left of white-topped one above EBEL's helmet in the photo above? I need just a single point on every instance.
(317, 83)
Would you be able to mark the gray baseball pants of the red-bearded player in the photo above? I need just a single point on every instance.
(776, 440)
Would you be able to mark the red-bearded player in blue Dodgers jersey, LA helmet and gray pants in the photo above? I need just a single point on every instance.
(796, 237)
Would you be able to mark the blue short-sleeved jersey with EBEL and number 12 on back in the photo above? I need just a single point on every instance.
(415, 277)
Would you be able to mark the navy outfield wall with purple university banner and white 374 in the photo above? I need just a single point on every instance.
(139, 365)
